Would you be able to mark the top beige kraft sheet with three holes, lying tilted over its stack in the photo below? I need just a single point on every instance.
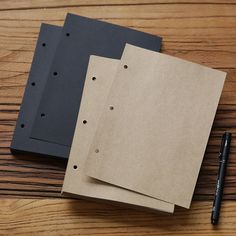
(155, 126)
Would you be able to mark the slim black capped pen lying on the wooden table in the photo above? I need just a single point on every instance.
(223, 156)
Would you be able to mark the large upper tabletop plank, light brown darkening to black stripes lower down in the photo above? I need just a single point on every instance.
(203, 32)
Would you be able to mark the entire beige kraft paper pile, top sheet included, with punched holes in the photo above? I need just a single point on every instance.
(143, 128)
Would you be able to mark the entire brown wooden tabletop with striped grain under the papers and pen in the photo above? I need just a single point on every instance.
(30, 201)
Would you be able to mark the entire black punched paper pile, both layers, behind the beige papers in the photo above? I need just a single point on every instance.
(53, 93)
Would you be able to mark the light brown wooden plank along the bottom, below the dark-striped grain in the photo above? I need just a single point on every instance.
(80, 217)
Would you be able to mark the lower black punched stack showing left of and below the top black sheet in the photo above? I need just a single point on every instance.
(45, 49)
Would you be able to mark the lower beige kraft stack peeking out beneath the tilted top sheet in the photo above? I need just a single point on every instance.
(100, 75)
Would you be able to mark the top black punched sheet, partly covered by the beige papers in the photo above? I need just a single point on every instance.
(81, 37)
